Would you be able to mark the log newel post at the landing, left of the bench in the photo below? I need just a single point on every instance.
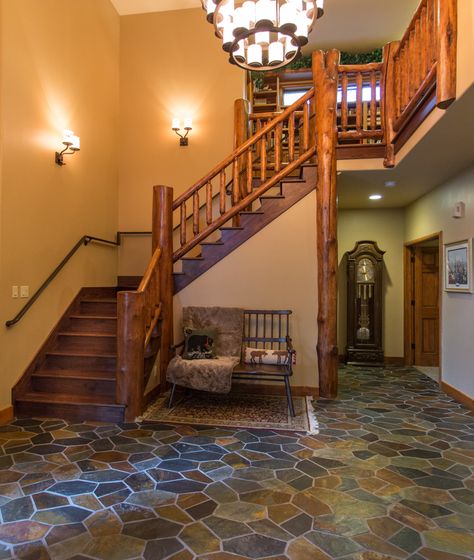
(163, 238)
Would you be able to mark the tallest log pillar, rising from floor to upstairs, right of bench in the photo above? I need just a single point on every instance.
(325, 76)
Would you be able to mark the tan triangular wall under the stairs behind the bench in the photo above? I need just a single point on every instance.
(275, 269)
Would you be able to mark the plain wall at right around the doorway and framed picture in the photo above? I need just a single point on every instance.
(430, 214)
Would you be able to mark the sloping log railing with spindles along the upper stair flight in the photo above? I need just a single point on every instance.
(286, 131)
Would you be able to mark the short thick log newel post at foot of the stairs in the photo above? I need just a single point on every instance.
(130, 353)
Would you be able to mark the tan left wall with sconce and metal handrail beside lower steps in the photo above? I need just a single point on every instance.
(59, 69)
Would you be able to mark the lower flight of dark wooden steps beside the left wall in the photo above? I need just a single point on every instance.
(73, 375)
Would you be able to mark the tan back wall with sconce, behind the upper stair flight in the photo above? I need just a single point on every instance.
(171, 64)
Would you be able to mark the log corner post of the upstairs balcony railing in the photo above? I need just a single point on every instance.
(387, 95)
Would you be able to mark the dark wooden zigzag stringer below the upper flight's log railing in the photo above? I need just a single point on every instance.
(251, 223)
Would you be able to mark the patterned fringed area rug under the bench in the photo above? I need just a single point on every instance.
(236, 410)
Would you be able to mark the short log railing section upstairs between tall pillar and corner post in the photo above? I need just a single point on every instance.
(360, 104)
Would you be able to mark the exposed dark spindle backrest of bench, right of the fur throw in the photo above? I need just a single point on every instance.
(264, 328)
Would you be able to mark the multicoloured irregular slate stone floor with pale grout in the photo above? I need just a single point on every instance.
(390, 476)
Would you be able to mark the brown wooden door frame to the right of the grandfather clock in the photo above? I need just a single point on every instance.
(408, 296)
